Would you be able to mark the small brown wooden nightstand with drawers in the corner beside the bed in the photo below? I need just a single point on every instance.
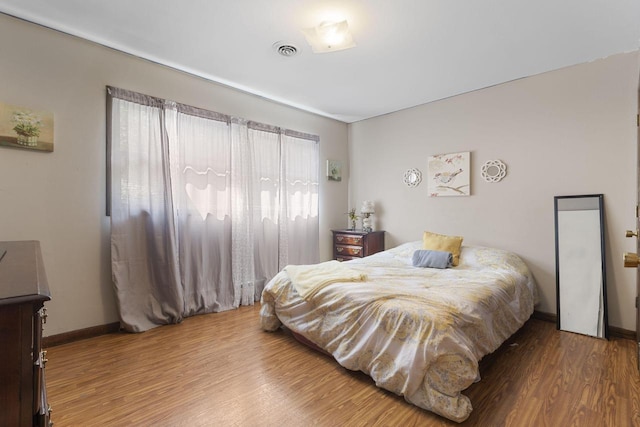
(350, 244)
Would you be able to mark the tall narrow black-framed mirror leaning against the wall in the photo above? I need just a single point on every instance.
(580, 265)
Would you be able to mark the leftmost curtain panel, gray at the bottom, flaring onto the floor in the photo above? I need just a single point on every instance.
(143, 246)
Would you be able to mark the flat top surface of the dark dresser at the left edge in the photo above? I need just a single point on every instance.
(22, 275)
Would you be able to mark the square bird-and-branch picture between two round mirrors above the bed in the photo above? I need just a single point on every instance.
(449, 174)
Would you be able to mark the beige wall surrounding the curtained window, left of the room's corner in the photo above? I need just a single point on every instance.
(59, 198)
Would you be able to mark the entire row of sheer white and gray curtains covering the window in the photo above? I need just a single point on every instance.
(205, 208)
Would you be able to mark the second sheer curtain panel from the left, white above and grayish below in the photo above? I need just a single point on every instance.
(201, 148)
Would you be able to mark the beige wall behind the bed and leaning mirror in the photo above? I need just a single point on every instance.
(570, 131)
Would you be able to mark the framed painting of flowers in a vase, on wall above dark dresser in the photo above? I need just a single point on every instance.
(22, 127)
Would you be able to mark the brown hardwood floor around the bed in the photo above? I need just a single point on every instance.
(223, 370)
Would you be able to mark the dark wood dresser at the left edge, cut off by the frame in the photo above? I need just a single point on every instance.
(23, 291)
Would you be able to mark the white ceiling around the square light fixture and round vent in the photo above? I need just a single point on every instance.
(409, 52)
